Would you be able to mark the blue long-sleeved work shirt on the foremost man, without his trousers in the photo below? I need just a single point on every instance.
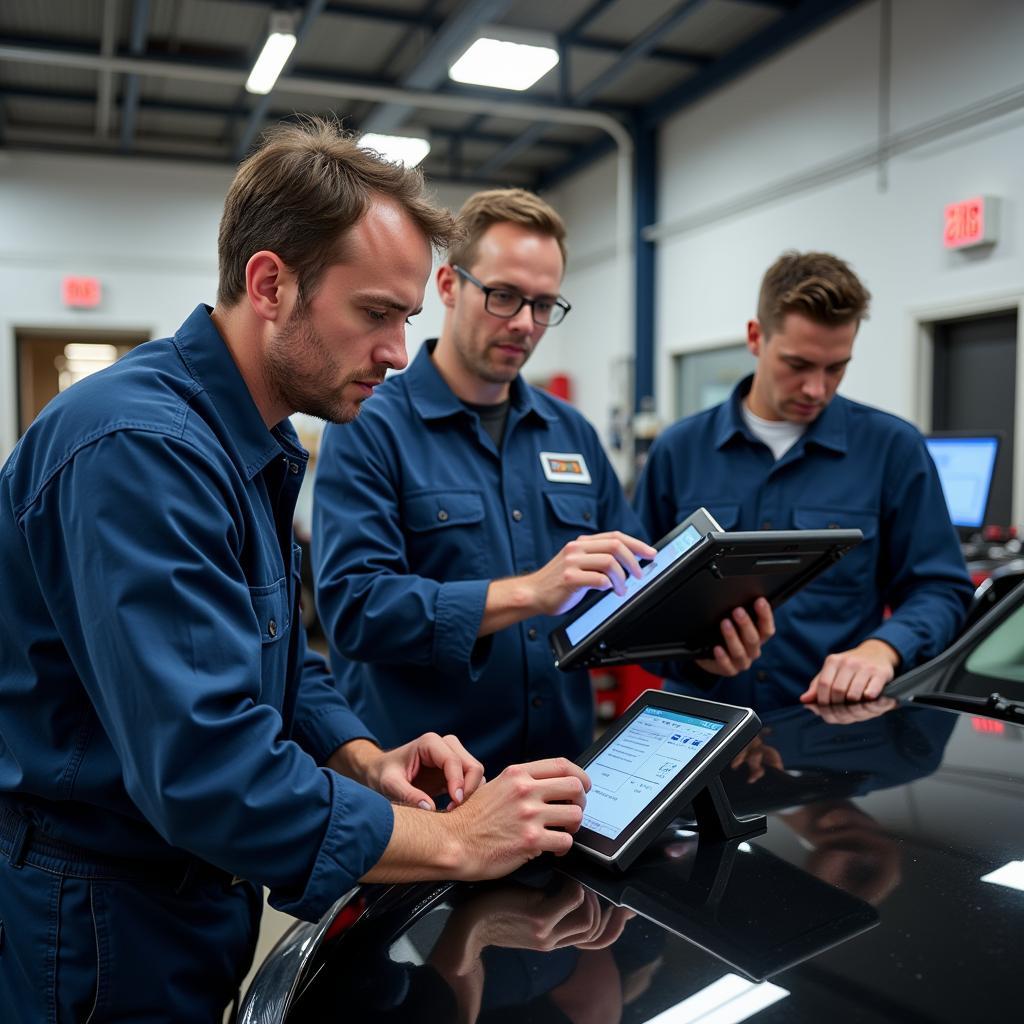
(157, 697)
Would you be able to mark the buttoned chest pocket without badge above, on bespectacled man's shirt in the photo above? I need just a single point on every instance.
(445, 534)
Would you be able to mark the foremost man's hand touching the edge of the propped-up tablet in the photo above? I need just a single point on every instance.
(528, 810)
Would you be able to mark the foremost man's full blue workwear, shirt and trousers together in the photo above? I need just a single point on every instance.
(163, 727)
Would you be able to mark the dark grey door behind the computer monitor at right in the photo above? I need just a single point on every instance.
(974, 389)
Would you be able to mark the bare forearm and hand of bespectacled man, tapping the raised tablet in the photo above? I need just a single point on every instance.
(598, 562)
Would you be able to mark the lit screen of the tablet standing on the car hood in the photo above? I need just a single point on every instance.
(639, 763)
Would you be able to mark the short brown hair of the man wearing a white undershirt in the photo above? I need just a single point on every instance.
(818, 286)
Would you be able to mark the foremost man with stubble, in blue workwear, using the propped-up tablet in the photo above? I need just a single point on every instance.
(168, 745)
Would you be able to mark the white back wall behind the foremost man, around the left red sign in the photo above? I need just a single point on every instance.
(147, 229)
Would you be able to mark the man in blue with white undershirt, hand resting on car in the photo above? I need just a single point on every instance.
(785, 452)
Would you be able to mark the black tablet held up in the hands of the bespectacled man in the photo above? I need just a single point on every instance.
(697, 580)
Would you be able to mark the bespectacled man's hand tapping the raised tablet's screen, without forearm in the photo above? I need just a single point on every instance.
(598, 562)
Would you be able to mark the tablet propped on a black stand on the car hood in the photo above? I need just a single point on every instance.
(664, 753)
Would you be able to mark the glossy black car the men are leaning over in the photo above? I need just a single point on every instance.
(889, 886)
